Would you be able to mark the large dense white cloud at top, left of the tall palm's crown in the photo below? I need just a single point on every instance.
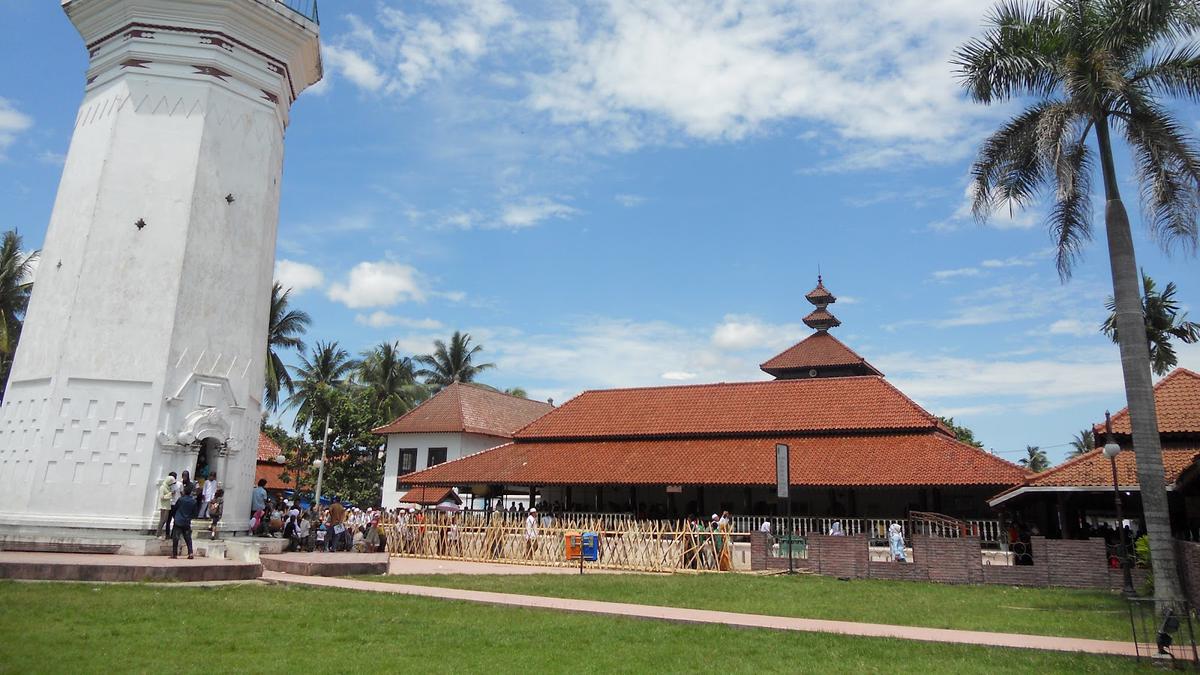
(721, 70)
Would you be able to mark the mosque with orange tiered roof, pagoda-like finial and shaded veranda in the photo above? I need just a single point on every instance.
(859, 446)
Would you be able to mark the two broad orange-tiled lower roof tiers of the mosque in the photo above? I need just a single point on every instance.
(843, 432)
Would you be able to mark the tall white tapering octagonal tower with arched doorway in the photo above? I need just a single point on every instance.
(145, 344)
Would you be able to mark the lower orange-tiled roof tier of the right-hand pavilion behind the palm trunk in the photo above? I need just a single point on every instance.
(1094, 470)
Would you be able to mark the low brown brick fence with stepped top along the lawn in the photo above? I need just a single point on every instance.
(1076, 564)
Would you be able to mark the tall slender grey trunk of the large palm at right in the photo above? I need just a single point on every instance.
(1131, 327)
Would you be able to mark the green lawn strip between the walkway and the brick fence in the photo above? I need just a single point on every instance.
(1004, 610)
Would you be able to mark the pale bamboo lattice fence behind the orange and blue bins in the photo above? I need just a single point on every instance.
(641, 546)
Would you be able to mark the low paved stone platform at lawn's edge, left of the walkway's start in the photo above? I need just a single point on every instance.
(98, 568)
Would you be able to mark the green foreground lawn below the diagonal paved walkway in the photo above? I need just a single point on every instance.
(170, 629)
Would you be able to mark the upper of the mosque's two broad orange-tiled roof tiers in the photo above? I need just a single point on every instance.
(783, 407)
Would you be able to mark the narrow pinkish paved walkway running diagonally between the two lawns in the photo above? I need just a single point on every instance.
(725, 618)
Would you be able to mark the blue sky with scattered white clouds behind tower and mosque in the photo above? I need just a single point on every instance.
(629, 194)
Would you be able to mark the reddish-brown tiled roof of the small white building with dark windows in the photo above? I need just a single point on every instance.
(469, 409)
